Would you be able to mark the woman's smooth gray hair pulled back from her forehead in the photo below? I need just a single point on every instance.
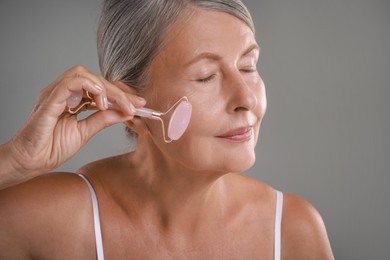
(131, 33)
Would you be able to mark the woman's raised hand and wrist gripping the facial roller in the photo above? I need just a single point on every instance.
(51, 135)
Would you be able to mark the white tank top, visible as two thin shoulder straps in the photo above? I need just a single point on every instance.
(98, 233)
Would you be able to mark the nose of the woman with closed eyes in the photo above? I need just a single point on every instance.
(243, 91)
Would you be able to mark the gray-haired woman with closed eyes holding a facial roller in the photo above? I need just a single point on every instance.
(180, 200)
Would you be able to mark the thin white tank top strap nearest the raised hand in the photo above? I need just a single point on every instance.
(96, 220)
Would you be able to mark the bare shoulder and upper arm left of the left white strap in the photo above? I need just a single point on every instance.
(48, 210)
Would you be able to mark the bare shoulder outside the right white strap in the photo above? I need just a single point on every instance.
(304, 234)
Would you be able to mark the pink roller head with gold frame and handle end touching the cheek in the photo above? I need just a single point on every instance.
(178, 122)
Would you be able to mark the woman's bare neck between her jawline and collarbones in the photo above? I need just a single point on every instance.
(176, 193)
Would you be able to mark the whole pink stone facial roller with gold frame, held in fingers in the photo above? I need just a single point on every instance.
(180, 115)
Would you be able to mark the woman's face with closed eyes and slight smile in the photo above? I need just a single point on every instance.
(211, 59)
